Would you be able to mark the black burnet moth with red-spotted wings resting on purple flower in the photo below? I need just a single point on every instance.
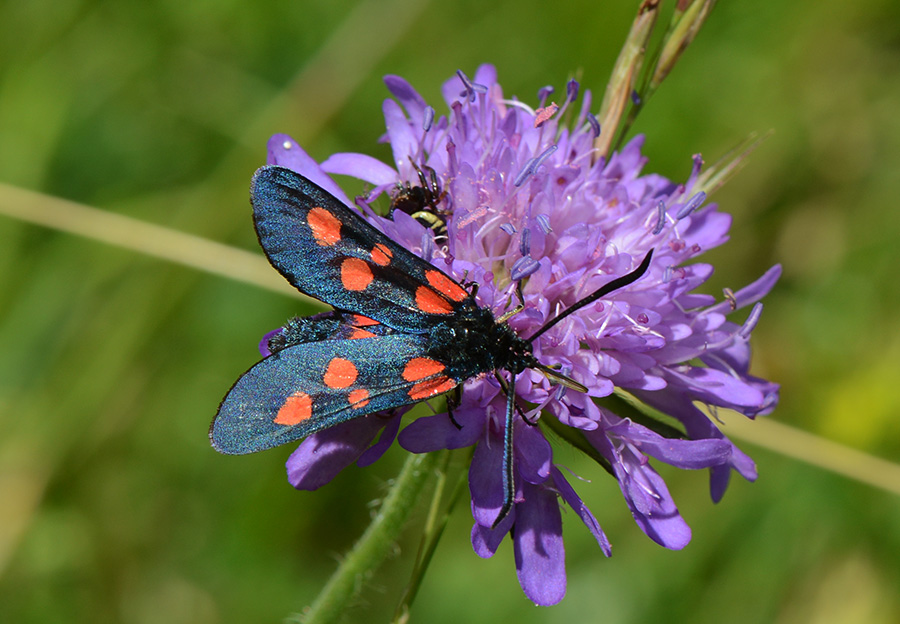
(402, 331)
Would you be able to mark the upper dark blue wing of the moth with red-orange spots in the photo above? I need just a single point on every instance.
(329, 252)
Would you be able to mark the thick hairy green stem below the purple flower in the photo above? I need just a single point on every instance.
(373, 546)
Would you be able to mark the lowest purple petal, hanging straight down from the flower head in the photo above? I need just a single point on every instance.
(540, 554)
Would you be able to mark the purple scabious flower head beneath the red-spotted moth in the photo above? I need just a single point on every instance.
(526, 200)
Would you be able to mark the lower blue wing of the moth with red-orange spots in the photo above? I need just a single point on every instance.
(310, 386)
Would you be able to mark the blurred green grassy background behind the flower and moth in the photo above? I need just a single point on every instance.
(113, 507)
